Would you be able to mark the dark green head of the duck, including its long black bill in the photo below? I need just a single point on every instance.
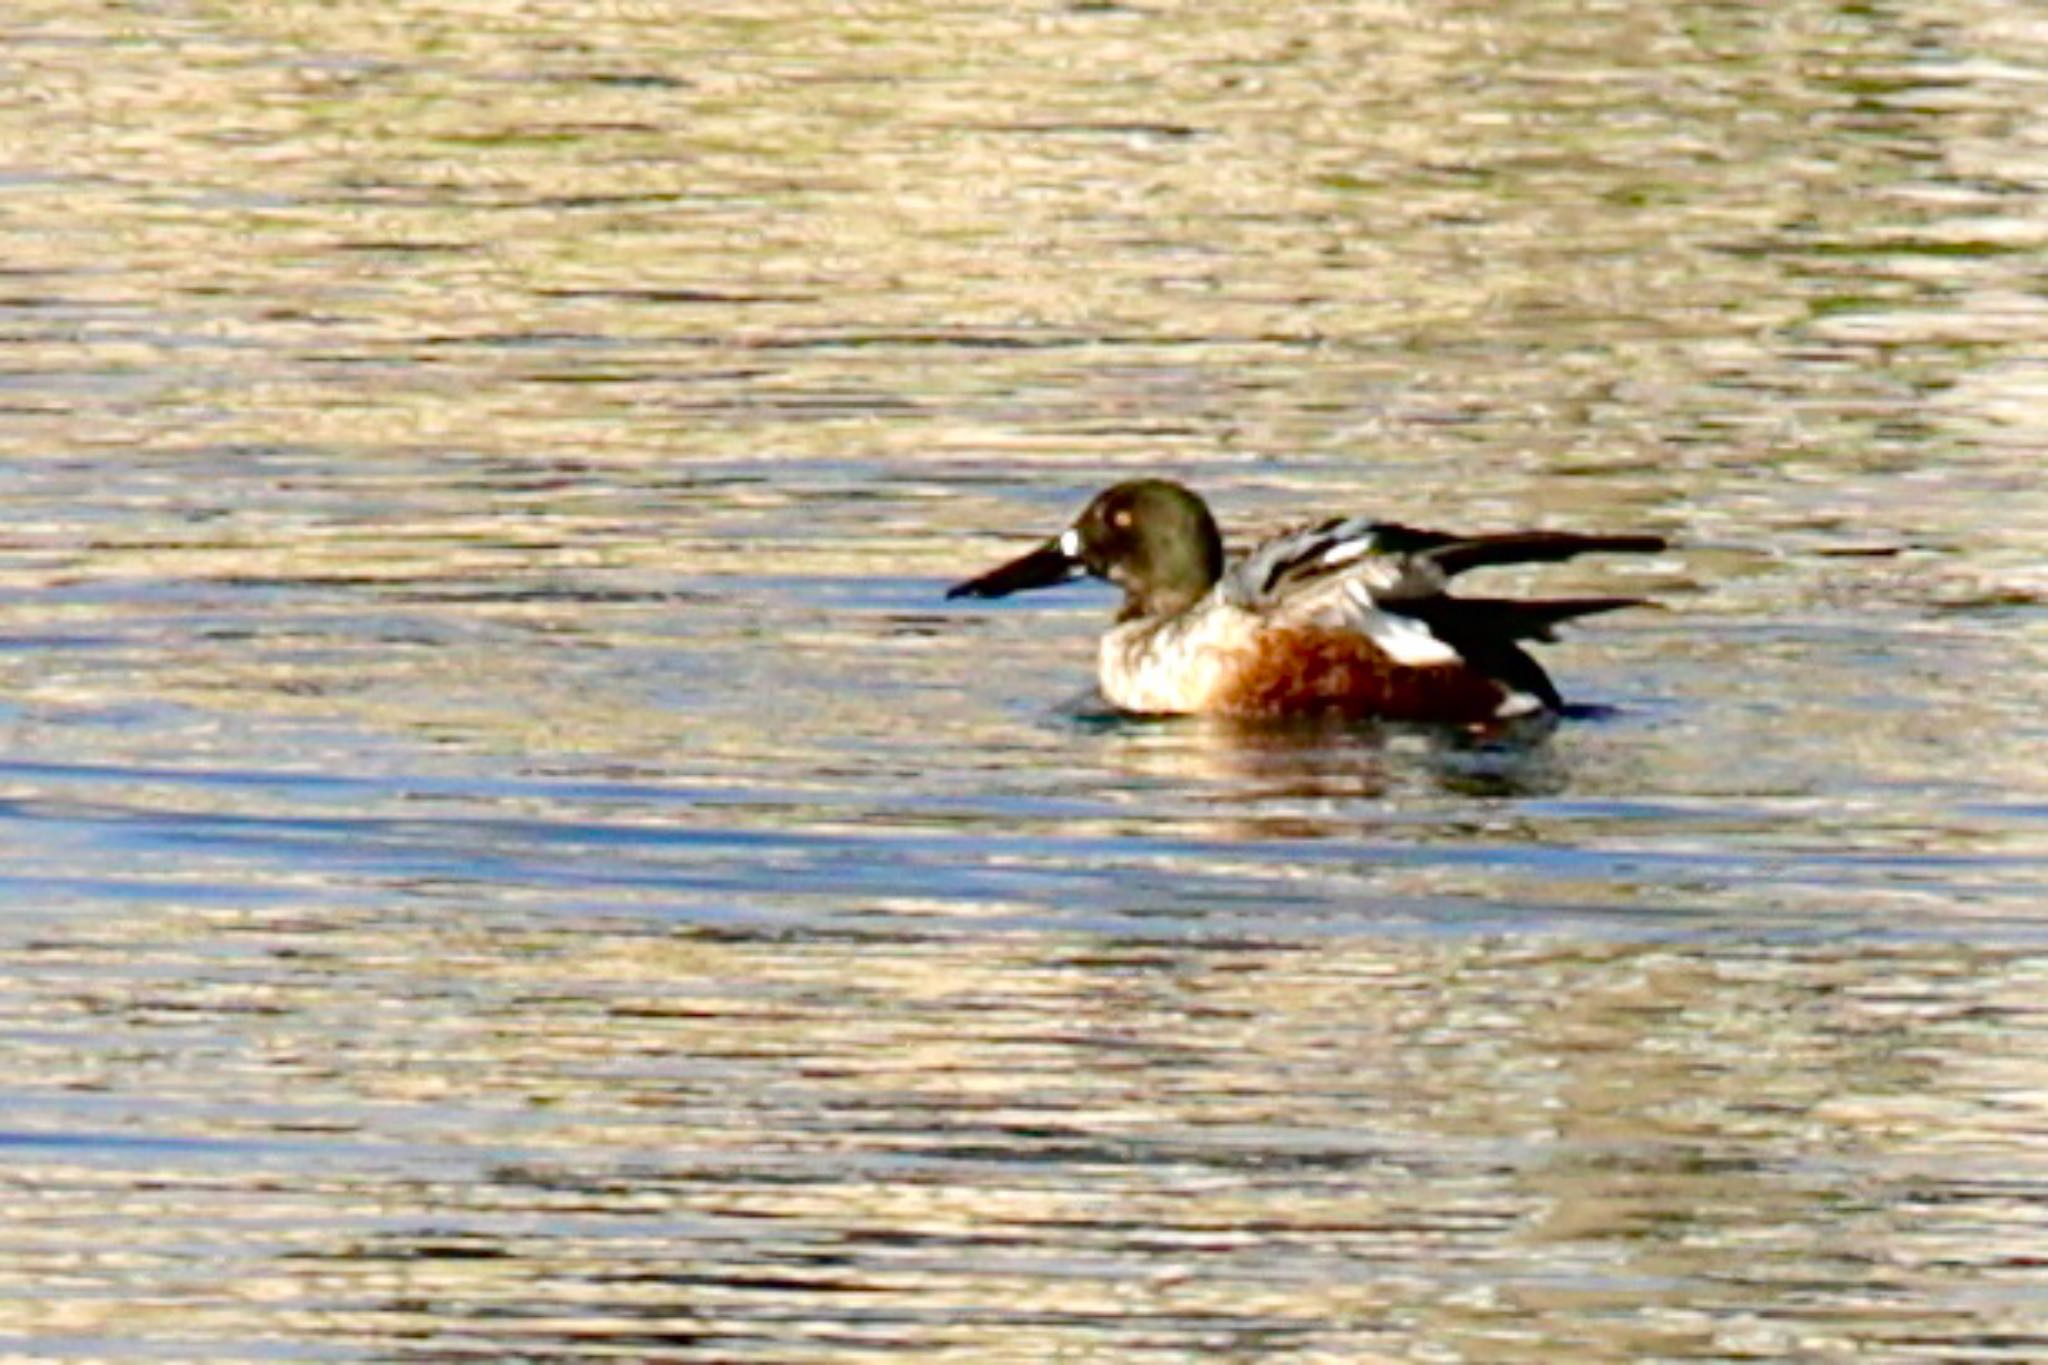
(1150, 537)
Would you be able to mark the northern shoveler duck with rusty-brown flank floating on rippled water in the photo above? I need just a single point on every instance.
(1342, 619)
